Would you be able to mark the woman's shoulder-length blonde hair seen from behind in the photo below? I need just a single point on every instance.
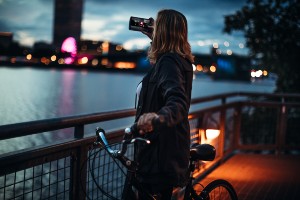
(170, 35)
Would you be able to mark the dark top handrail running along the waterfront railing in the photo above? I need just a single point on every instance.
(34, 127)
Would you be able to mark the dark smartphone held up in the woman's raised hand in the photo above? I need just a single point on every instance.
(141, 24)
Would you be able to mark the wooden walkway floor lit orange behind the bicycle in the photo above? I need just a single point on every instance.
(263, 177)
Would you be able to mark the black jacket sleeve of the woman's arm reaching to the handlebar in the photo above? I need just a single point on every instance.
(171, 83)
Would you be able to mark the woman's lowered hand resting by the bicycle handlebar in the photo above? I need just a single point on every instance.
(144, 123)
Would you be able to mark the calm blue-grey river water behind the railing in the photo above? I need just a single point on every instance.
(28, 94)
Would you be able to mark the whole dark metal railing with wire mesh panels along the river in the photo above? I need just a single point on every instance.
(247, 121)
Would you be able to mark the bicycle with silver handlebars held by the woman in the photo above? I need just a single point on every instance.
(217, 189)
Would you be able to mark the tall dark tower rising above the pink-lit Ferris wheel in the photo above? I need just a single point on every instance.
(67, 20)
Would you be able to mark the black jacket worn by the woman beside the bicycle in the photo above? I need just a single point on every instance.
(166, 90)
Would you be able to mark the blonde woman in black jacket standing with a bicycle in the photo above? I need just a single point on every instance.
(165, 95)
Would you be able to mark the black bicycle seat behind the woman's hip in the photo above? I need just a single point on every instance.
(205, 152)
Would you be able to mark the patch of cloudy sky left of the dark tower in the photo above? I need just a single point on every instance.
(29, 22)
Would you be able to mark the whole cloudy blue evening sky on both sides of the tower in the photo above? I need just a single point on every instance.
(32, 22)
